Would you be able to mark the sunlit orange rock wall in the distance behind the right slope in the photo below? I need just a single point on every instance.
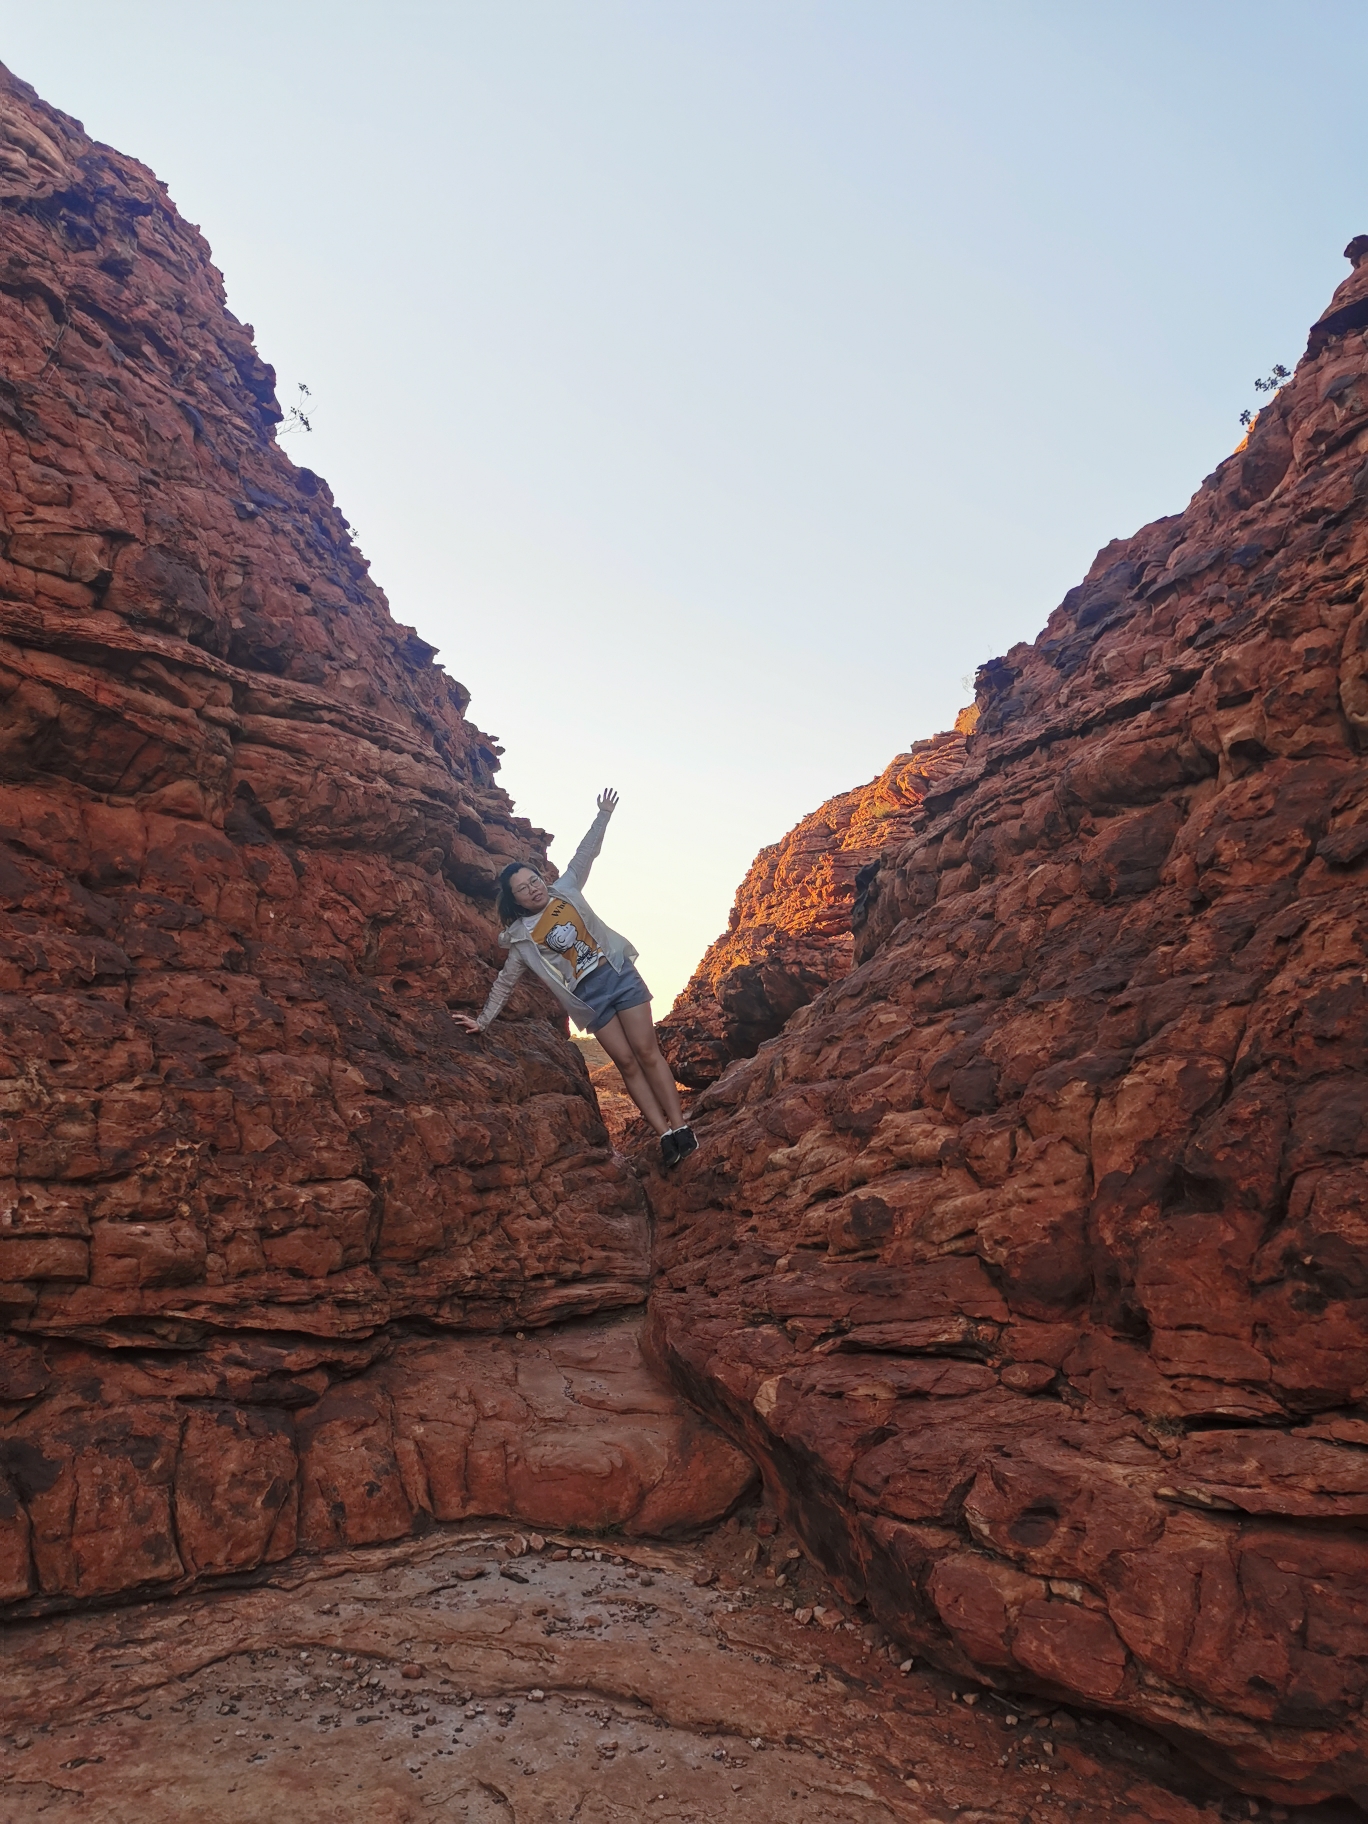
(791, 929)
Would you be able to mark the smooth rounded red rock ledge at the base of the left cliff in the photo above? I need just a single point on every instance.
(136, 1467)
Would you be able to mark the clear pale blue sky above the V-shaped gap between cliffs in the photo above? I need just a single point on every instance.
(720, 382)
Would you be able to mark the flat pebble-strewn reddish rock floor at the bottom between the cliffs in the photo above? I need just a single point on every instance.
(450, 1679)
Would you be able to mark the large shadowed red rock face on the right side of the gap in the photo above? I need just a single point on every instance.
(1030, 1259)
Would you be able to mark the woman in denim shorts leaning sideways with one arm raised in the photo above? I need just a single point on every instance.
(592, 973)
